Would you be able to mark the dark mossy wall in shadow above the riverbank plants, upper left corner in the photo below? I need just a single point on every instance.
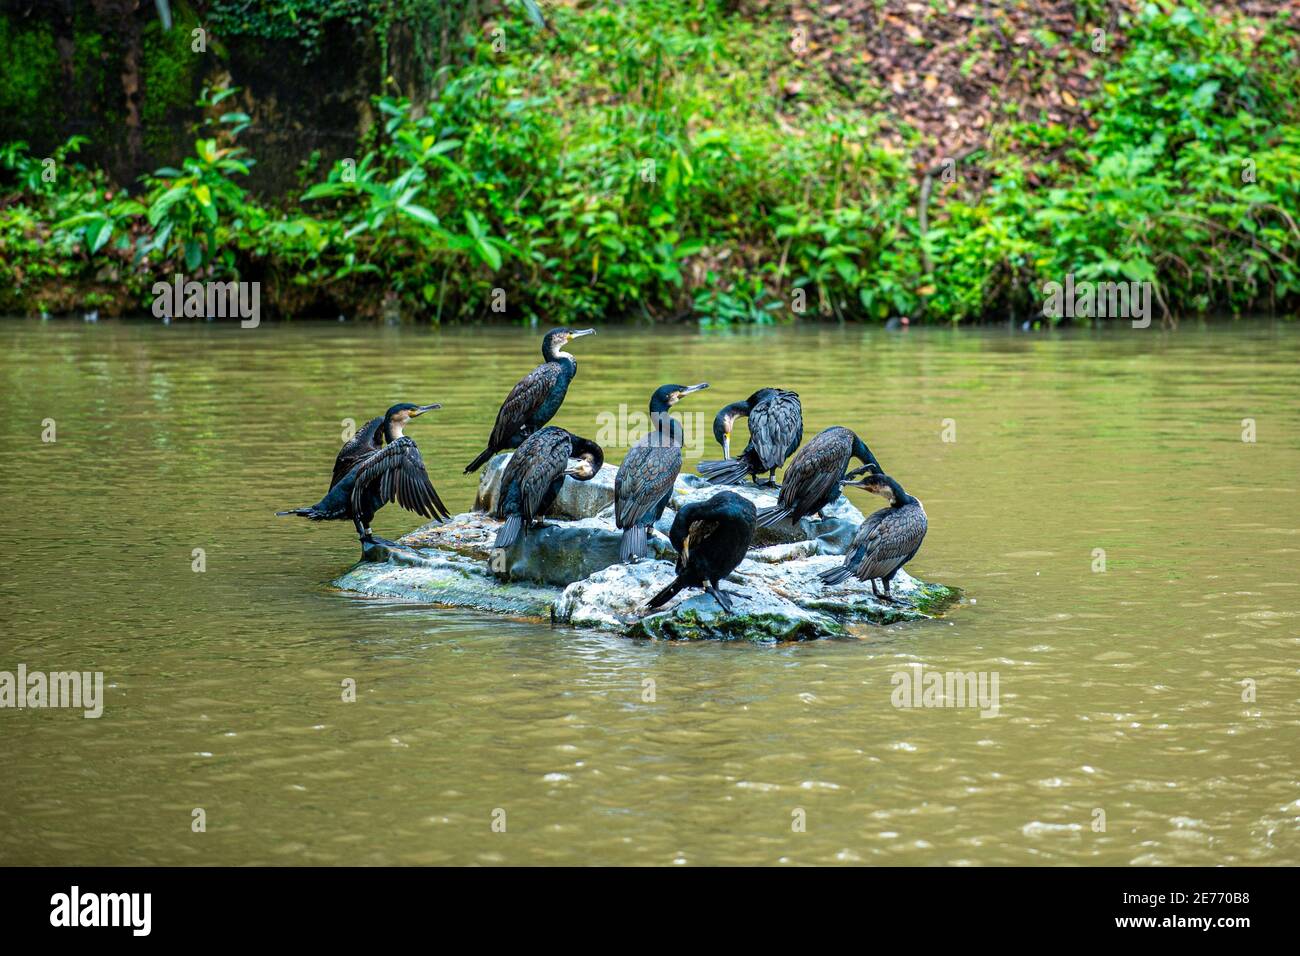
(307, 70)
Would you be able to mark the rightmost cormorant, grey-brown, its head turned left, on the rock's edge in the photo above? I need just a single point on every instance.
(887, 540)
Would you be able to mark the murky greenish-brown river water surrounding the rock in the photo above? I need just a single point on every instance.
(1120, 691)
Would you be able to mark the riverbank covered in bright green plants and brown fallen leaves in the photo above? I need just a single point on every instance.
(697, 163)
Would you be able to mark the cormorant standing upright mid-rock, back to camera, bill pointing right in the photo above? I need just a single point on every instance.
(644, 483)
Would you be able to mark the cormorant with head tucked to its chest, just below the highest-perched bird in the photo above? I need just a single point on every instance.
(535, 474)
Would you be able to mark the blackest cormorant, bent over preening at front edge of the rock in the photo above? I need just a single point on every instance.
(712, 539)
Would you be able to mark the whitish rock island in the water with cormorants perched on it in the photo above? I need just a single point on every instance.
(569, 572)
